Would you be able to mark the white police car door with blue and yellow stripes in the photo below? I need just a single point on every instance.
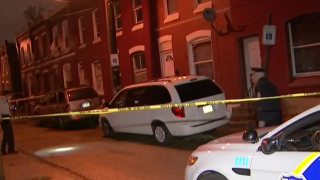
(294, 165)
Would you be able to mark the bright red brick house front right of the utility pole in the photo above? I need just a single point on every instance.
(163, 37)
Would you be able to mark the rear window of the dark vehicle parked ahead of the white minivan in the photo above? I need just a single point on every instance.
(83, 93)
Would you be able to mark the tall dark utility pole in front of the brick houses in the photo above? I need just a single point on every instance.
(113, 50)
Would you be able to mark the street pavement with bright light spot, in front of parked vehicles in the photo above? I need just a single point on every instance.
(88, 155)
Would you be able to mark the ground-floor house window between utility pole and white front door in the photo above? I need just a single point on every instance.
(139, 67)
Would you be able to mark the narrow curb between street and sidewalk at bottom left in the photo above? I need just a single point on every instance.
(32, 156)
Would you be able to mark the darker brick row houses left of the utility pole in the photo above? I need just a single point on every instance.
(66, 49)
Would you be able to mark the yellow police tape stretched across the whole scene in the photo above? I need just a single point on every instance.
(106, 111)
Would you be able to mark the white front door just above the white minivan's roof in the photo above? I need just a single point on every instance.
(167, 63)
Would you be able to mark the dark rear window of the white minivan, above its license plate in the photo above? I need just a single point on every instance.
(197, 89)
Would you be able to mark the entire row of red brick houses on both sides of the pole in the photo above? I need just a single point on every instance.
(165, 37)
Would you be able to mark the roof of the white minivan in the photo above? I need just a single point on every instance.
(175, 80)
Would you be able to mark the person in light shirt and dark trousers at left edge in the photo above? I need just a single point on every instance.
(8, 138)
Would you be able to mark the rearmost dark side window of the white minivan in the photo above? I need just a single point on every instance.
(158, 95)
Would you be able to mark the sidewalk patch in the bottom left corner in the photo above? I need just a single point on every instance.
(20, 167)
